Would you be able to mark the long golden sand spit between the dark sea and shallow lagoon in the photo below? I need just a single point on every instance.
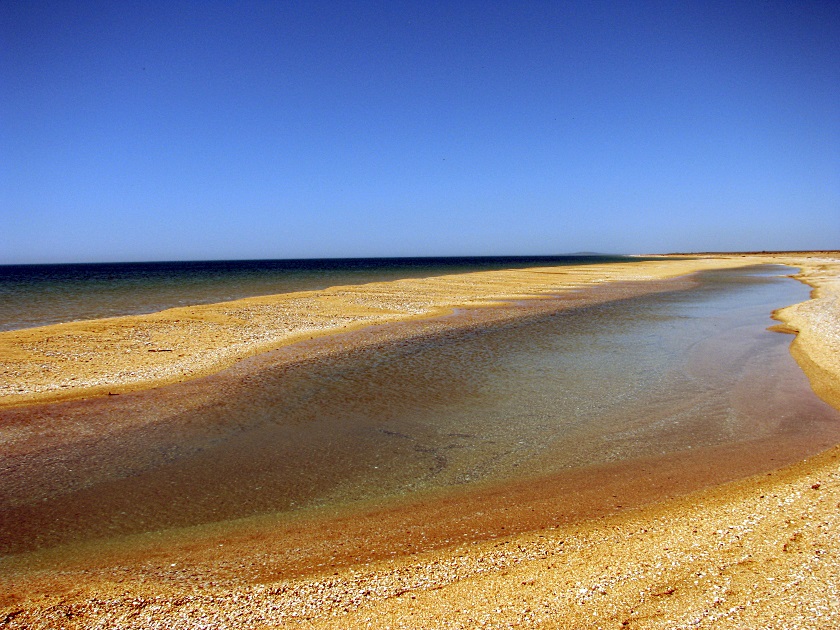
(115, 355)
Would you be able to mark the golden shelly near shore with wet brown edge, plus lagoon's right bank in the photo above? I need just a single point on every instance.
(761, 551)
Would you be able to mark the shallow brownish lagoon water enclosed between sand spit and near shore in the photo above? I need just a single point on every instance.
(569, 388)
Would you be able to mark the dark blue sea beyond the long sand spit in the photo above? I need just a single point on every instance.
(35, 295)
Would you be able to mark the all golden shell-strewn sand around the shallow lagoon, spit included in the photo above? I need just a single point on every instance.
(759, 551)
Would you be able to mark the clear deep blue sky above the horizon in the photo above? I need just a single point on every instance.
(218, 130)
